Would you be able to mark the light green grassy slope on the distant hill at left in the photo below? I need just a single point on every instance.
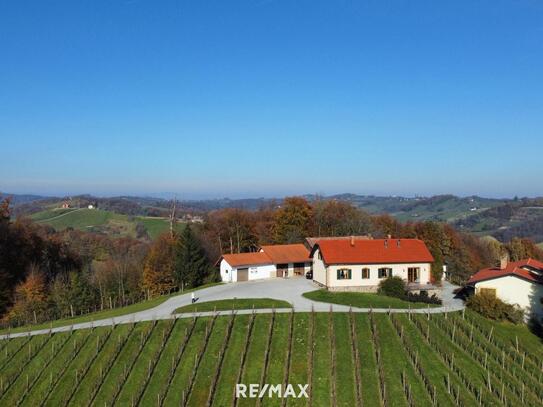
(98, 220)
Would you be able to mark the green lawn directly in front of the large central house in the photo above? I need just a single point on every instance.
(362, 300)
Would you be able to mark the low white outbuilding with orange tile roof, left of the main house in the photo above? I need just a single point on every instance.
(270, 262)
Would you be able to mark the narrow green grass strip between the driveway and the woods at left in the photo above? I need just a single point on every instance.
(110, 313)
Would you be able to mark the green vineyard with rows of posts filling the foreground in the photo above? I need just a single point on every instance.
(348, 359)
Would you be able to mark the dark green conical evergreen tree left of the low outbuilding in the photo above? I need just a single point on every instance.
(192, 266)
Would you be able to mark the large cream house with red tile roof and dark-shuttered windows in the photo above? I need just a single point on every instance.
(360, 264)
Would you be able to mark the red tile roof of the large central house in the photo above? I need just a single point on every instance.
(376, 251)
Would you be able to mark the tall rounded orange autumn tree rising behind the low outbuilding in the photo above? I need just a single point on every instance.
(293, 221)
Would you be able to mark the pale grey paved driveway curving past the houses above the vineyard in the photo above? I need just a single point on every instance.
(290, 290)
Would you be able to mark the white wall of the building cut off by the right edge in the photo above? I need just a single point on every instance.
(514, 290)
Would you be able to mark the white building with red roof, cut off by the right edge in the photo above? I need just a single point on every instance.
(519, 282)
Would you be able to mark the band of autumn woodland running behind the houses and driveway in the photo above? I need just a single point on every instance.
(46, 274)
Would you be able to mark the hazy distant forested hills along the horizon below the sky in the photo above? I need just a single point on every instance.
(501, 218)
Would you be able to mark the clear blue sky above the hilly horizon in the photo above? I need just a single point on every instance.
(269, 98)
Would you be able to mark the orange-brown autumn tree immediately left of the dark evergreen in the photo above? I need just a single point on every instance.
(159, 269)
